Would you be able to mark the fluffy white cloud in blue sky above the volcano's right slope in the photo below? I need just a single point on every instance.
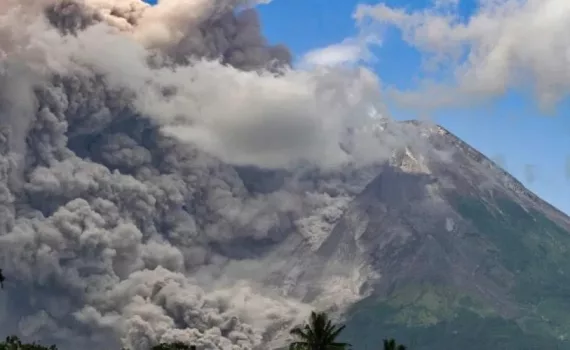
(505, 44)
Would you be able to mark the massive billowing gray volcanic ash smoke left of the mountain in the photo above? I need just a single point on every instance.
(128, 134)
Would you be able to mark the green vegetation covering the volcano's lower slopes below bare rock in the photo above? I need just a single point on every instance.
(532, 248)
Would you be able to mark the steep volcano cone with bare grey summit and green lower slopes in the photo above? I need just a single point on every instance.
(465, 256)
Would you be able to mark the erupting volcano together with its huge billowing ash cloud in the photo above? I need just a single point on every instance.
(167, 175)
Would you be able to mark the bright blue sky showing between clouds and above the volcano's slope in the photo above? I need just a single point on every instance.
(510, 126)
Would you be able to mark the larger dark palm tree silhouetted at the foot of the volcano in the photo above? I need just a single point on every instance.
(318, 334)
